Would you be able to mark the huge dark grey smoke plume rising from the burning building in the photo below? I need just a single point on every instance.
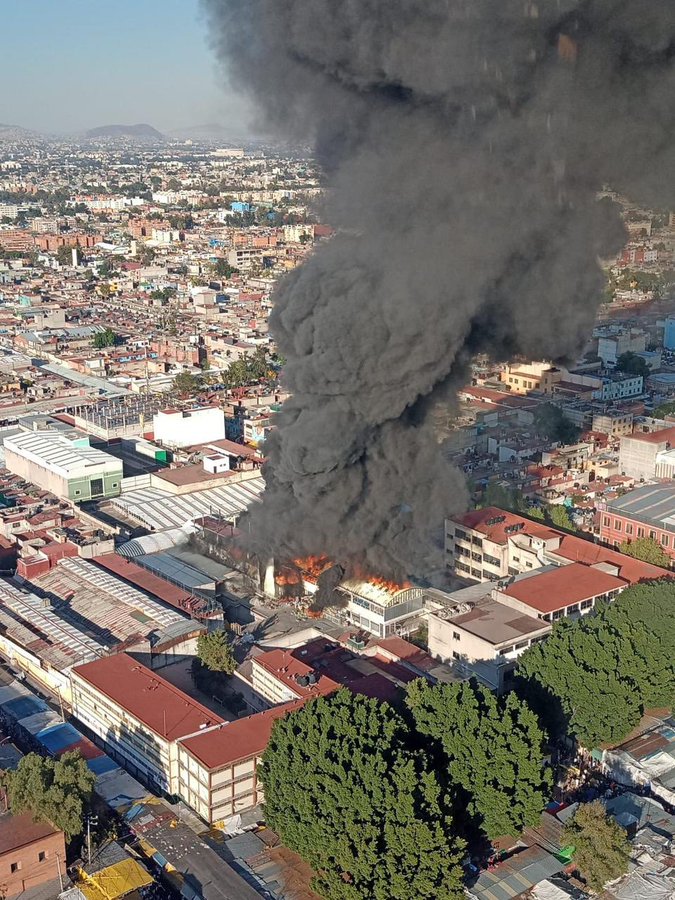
(464, 142)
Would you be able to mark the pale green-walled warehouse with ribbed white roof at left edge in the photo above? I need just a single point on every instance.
(67, 468)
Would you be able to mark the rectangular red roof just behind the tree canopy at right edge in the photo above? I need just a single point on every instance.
(562, 587)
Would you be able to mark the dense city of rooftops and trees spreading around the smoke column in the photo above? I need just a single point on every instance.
(501, 727)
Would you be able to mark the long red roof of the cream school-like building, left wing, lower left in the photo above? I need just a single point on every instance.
(149, 698)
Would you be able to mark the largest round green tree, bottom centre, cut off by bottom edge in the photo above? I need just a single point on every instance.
(344, 789)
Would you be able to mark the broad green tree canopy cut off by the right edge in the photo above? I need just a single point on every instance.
(604, 670)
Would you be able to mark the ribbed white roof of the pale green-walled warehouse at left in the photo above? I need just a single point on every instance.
(54, 451)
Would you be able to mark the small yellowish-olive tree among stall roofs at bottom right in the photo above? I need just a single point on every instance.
(601, 846)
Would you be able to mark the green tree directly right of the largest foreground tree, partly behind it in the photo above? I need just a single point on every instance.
(493, 749)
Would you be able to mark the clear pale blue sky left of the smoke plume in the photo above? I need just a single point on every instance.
(68, 65)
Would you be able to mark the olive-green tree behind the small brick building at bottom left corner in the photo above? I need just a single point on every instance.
(56, 791)
